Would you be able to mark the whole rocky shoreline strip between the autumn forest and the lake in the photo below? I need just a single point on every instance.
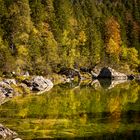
(39, 84)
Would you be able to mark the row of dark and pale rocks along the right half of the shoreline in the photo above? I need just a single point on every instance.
(105, 72)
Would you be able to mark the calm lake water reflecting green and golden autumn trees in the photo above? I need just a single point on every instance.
(96, 110)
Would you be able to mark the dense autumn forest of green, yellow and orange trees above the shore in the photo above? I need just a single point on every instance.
(43, 36)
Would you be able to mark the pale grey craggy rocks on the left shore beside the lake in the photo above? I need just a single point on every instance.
(8, 87)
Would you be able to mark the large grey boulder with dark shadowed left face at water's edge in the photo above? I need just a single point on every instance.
(108, 72)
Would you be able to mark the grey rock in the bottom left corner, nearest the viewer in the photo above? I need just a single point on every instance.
(6, 133)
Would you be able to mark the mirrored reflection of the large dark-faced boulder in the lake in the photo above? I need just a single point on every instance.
(106, 83)
